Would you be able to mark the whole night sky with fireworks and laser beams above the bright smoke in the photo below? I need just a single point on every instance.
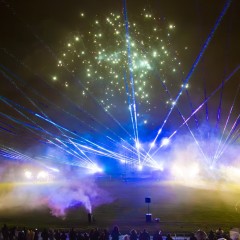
(93, 81)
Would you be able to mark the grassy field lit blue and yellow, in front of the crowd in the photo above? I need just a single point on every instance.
(181, 208)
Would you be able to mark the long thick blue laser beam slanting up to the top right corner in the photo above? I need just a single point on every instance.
(199, 57)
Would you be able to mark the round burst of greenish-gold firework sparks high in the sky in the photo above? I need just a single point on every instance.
(99, 57)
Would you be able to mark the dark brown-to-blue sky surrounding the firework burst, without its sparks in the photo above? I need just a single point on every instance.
(35, 33)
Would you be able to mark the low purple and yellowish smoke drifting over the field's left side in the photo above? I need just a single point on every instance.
(69, 190)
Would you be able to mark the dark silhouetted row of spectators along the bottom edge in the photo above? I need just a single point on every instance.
(15, 233)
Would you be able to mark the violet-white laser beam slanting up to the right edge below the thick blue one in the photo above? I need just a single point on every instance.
(203, 103)
